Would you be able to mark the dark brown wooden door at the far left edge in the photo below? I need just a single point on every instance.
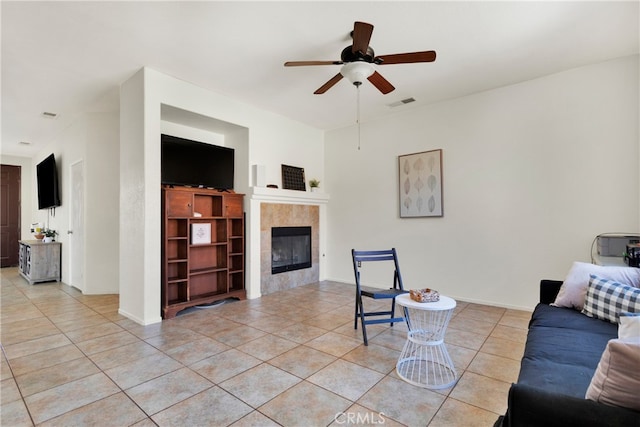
(10, 215)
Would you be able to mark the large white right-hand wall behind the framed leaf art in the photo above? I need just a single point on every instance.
(532, 172)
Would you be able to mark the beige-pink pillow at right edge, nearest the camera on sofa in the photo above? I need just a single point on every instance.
(617, 379)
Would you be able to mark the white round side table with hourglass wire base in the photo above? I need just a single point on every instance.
(424, 360)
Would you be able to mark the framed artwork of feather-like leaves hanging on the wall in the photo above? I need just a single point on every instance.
(420, 180)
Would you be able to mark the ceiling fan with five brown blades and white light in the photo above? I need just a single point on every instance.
(357, 61)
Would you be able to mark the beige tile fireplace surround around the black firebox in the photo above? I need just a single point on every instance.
(287, 215)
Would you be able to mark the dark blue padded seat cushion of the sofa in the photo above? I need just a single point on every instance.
(563, 350)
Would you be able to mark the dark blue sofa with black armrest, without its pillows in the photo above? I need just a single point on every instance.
(561, 355)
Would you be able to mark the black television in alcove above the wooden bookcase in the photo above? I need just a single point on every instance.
(196, 164)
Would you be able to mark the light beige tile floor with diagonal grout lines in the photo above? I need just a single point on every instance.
(290, 358)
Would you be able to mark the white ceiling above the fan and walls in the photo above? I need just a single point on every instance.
(71, 57)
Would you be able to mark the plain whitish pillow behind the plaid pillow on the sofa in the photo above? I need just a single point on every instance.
(574, 289)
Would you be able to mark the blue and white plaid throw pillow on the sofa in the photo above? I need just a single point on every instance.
(606, 299)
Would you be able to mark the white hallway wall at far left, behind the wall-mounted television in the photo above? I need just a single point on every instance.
(93, 139)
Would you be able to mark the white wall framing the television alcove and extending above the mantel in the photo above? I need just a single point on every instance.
(259, 137)
